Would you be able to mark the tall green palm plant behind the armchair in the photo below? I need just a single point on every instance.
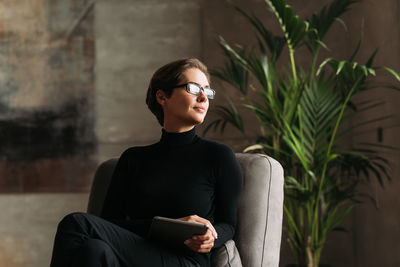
(302, 110)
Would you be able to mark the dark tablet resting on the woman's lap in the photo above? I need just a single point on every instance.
(173, 230)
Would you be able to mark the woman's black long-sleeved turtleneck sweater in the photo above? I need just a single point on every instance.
(181, 175)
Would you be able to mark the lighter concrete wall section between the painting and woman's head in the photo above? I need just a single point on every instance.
(132, 41)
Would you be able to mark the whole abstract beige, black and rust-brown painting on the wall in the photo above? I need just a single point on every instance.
(47, 140)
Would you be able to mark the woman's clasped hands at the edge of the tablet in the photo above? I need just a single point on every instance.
(201, 243)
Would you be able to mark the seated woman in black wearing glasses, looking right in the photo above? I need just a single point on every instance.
(181, 176)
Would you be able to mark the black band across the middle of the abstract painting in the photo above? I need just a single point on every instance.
(46, 134)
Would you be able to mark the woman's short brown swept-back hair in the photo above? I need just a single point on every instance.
(166, 78)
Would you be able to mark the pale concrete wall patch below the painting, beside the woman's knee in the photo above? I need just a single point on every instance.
(28, 223)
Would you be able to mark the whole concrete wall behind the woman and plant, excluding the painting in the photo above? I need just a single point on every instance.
(133, 38)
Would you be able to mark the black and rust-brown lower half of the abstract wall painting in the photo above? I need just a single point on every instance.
(47, 151)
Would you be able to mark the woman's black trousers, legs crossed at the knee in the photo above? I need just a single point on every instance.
(86, 240)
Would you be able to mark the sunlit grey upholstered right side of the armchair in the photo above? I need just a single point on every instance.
(259, 229)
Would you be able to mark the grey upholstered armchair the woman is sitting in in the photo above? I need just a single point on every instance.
(258, 234)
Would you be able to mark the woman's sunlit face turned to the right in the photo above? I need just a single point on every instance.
(182, 110)
